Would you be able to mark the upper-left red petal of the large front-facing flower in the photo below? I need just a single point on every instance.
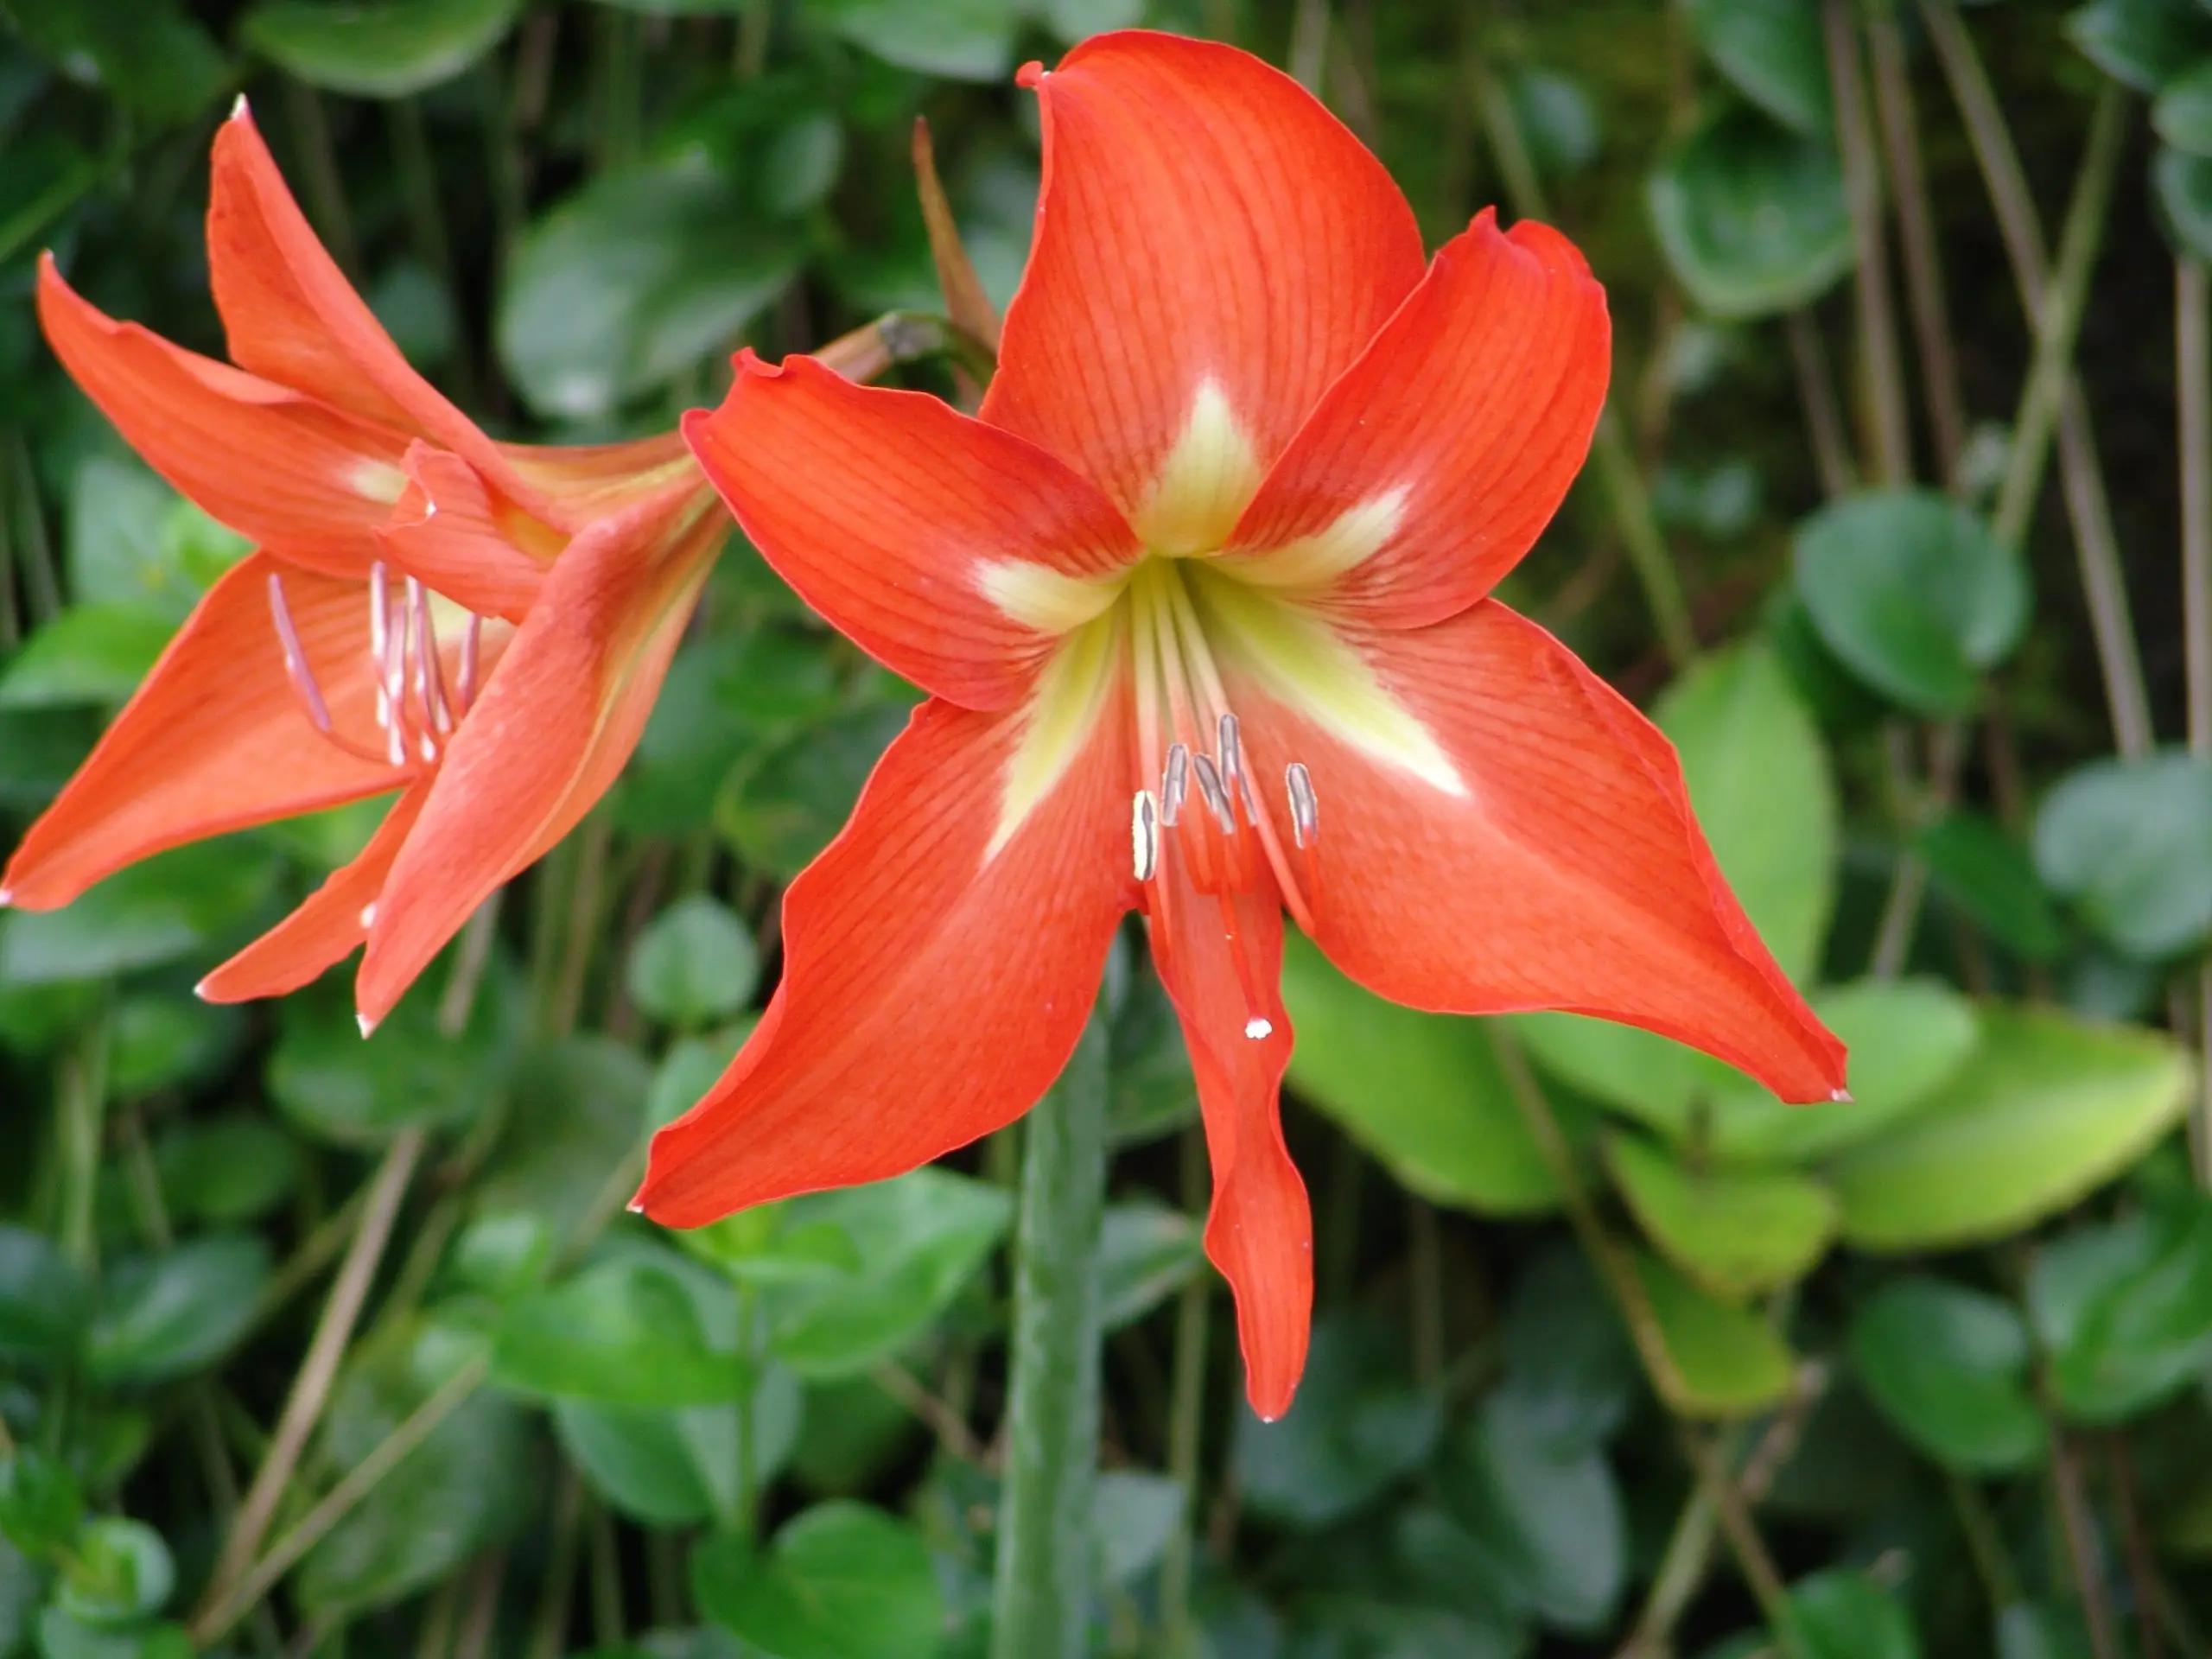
(937, 543)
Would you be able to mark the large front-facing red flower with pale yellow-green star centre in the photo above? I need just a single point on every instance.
(1202, 607)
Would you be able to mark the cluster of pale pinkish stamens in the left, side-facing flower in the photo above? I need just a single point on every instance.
(419, 698)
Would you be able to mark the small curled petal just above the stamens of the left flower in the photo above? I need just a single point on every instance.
(455, 536)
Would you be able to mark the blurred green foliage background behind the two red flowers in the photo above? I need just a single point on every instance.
(1614, 1350)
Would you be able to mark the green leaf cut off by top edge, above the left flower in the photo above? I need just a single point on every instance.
(377, 48)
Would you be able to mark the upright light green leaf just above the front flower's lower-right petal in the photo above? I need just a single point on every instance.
(1764, 795)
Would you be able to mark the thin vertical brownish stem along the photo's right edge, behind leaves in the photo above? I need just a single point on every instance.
(2193, 351)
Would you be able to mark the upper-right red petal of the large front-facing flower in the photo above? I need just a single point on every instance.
(1434, 463)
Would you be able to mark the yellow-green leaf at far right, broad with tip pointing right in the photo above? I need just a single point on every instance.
(2045, 1112)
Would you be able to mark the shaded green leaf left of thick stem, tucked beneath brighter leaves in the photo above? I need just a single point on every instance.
(680, 1468)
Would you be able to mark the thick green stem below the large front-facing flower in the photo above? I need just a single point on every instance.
(1043, 1596)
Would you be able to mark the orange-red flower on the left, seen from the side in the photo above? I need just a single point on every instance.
(481, 627)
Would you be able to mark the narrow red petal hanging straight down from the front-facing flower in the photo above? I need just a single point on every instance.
(1260, 1231)
